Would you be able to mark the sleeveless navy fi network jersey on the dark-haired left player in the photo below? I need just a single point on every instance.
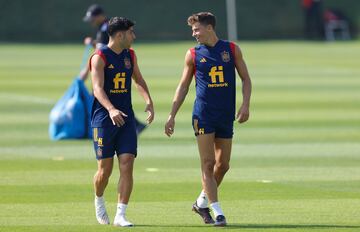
(118, 71)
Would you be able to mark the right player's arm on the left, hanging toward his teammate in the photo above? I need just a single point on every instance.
(180, 93)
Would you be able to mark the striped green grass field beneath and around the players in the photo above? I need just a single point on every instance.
(295, 165)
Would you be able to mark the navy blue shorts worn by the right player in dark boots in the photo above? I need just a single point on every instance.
(222, 129)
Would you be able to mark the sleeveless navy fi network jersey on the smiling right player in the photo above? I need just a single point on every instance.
(215, 82)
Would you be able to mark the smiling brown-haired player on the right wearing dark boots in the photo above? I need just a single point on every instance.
(213, 62)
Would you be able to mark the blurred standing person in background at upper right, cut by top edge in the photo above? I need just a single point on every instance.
(313, 19)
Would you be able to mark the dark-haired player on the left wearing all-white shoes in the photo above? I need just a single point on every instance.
(113, 67)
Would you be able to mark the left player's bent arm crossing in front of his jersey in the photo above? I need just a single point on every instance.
(97, 77)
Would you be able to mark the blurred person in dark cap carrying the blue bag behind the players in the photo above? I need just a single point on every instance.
(95, 15)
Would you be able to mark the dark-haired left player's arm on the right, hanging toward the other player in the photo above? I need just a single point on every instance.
(143, 90)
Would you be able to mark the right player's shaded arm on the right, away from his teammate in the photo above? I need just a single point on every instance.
(243, 113)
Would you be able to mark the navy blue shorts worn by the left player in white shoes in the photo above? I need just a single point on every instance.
(111, 140)
